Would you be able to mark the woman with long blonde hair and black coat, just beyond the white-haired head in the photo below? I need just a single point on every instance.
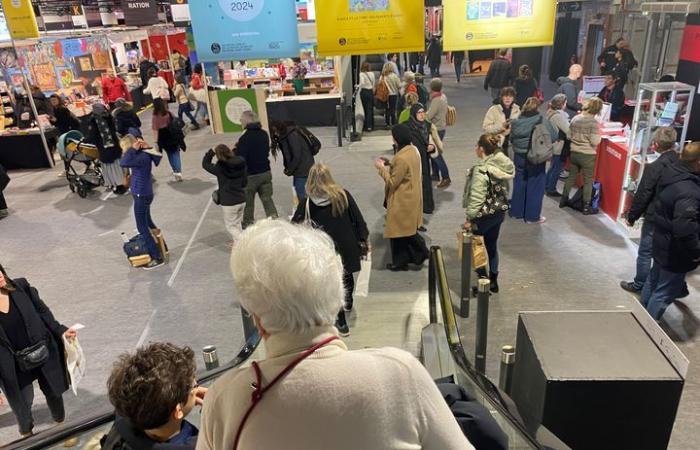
(330, 207)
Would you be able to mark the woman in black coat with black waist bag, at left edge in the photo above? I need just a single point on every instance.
(25, 323)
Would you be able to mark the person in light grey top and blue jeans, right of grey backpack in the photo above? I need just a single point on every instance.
(559, 120)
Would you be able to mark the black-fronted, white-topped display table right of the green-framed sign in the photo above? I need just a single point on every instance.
(307, 110)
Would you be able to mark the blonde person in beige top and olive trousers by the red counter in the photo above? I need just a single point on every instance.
(585, 138)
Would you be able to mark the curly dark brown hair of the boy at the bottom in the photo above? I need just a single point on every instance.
(145, 387)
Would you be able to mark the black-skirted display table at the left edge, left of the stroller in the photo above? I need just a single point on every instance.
(26, 151)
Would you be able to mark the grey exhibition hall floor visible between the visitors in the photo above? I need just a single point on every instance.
(70, 249)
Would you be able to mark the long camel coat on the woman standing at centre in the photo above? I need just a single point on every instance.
(404, 194)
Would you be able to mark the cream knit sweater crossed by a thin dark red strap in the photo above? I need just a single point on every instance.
(379, 399)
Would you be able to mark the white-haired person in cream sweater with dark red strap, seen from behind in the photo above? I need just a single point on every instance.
(311, 392)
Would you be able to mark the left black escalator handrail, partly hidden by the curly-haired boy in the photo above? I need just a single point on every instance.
(66, 431)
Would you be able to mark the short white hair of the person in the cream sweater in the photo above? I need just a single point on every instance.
(290, 276)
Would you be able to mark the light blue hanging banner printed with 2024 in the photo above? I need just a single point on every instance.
(252, 29)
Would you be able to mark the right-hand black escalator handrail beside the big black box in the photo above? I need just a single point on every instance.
(497, 398)
